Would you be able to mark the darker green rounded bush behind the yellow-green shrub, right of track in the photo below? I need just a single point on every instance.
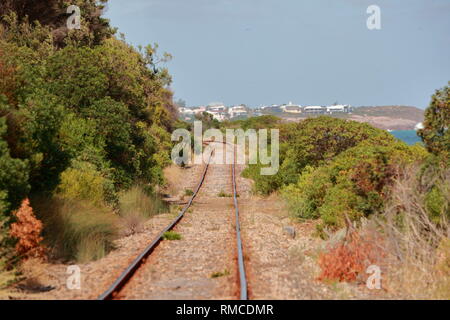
(312, 142)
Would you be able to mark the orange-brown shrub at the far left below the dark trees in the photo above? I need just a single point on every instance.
(27, 229)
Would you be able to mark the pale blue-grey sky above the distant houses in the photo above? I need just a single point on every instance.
(315, 52)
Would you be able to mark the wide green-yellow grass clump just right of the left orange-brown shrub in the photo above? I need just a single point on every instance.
(76, 230)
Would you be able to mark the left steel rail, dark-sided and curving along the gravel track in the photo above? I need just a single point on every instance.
(131, 269)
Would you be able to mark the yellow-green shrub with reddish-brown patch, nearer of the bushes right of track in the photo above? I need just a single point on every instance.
(355, 183)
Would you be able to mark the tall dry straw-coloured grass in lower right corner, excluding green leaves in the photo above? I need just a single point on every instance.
(419, 250)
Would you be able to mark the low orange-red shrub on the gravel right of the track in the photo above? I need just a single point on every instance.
(349, 259)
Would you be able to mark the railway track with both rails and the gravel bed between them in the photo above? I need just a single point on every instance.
(138, 280)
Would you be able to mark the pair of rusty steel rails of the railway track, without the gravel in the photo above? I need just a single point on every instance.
(113, 291)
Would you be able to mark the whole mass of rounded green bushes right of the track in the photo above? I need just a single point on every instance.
(332, 168)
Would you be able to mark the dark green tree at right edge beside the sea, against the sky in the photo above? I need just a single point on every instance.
(435, 133)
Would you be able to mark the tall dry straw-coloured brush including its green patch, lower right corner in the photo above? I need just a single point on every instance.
(417, 238)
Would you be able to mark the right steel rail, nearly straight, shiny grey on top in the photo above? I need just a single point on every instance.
(241, 265)
